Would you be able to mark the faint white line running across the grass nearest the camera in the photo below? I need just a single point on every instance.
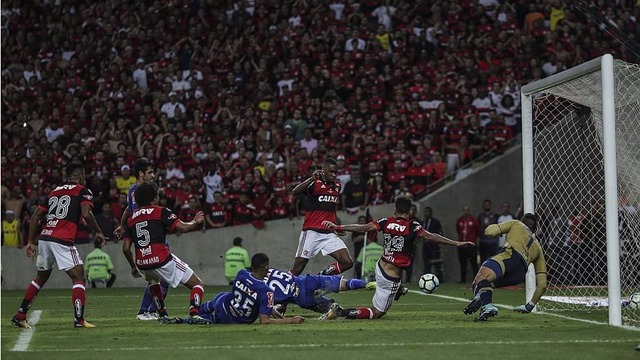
(315, 345)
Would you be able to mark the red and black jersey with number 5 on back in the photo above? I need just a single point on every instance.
(147, 228)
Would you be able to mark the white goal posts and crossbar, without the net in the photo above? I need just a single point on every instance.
(605, 65)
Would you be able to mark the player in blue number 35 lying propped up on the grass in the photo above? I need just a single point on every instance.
(249, 299)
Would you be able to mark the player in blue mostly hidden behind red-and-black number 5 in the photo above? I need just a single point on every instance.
(144, 172)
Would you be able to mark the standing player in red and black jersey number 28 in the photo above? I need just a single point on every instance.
(65, 205)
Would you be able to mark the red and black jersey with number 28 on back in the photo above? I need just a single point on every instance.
(63, 213)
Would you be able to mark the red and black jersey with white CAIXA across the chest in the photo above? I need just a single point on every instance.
(322, 204)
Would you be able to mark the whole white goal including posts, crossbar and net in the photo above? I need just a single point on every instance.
(581, 175)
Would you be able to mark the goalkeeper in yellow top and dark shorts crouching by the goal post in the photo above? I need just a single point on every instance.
(509, 267)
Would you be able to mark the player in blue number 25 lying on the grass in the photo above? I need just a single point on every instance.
(307, 291)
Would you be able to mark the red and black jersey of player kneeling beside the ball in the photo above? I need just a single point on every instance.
(399, 237)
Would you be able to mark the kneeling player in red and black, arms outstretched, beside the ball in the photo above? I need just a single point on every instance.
(399, 234)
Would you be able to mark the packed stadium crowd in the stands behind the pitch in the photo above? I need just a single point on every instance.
(238, 101)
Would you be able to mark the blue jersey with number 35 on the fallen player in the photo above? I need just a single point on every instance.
(248, 298)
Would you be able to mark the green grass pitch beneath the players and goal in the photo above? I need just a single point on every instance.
(417, 327)
